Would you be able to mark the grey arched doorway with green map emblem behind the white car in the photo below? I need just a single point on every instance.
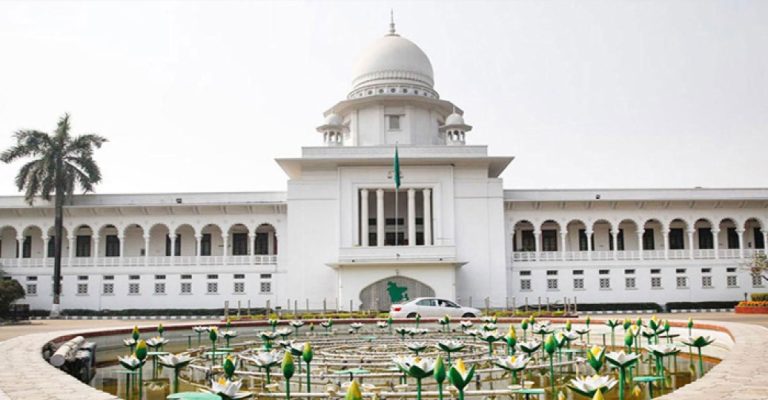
(380, 294)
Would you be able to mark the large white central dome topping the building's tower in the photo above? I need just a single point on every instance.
(393, 59)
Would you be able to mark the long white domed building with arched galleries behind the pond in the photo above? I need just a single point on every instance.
(334, 237)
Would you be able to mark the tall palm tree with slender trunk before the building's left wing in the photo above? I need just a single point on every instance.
(59, 163)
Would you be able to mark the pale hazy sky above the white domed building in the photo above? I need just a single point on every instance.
(202, 96)
